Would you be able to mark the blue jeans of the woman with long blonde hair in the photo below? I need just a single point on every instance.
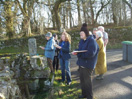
(65, 69)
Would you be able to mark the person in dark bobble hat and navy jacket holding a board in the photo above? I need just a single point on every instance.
(86, 61)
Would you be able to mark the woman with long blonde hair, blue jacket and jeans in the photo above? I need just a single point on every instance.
(64, 56)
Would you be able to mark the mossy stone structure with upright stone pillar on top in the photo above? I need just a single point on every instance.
(26, 72)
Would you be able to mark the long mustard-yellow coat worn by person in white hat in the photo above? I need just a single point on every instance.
(101, 66)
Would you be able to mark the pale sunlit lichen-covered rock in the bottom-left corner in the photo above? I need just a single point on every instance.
(8, 86)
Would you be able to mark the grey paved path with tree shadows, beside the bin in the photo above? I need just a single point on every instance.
(117, 83)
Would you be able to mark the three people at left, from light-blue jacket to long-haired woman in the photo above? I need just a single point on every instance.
(58, 52)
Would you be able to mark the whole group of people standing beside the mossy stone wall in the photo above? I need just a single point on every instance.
(92, 58)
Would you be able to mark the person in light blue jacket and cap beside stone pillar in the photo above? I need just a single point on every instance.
(50, 50)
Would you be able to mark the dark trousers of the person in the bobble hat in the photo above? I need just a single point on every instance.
(86, 82)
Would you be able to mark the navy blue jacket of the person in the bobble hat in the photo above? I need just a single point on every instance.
(88, 59)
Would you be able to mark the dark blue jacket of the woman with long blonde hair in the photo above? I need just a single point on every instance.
(65, 51)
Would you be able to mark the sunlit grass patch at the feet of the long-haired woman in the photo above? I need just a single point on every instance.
(61, 90)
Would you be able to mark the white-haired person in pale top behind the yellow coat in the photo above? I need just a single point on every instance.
(105, 36)
